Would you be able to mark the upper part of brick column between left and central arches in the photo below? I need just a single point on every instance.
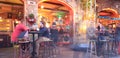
(30, 7)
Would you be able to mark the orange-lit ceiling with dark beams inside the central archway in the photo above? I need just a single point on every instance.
(48, 7)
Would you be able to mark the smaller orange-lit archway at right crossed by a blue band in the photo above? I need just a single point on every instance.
(108, 16)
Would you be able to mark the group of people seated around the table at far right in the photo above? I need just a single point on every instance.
(111, 33)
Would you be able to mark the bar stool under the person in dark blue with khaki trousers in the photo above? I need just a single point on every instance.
(47, 48)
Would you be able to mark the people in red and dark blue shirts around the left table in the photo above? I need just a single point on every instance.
(51, 33)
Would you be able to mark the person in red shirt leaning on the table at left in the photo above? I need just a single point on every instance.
(18, 29)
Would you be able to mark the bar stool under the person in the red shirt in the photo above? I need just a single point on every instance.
(22, 49)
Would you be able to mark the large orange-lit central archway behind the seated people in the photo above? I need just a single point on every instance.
(56, 8)
